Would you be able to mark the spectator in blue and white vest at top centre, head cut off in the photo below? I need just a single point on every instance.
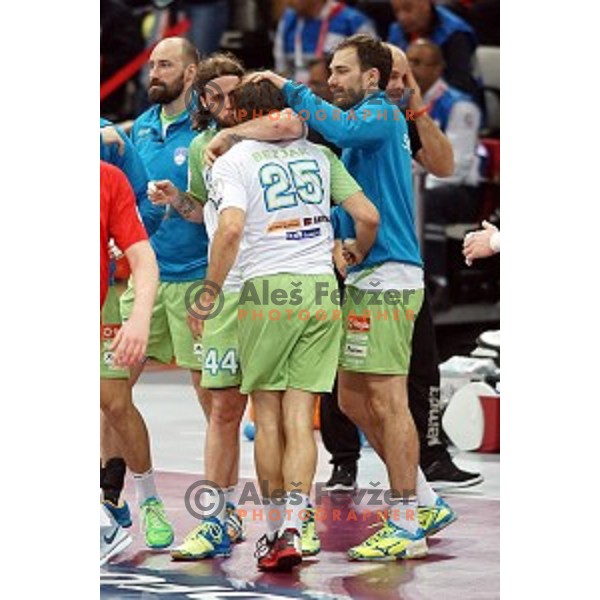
(309, 29)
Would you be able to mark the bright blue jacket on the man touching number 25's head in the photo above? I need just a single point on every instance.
(376, 152)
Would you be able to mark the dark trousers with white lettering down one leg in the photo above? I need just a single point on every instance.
(340, 435)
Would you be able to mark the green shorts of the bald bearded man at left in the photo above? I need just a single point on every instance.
(170, 335)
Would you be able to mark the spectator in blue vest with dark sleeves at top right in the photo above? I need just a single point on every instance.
(456, 38)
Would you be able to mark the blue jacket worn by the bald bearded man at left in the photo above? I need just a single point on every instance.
(181, 247)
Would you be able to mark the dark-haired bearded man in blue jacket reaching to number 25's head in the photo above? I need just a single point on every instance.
(376, 352)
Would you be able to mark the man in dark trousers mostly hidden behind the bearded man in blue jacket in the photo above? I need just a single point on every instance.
(433, 151)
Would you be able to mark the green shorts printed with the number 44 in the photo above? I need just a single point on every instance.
(221, 367)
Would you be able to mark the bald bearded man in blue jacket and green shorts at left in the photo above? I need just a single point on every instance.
(161, 135)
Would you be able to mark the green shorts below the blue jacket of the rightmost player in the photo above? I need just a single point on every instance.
(378, 339)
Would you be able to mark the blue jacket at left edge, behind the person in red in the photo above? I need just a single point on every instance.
(131, 164)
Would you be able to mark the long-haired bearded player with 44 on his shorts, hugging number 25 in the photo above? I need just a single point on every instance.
(217, 76)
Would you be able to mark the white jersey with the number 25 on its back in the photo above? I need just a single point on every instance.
(284, 189)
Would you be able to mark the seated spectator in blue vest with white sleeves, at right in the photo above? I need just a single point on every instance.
(451, 199)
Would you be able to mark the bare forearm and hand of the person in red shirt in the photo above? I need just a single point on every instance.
(131, 341)
